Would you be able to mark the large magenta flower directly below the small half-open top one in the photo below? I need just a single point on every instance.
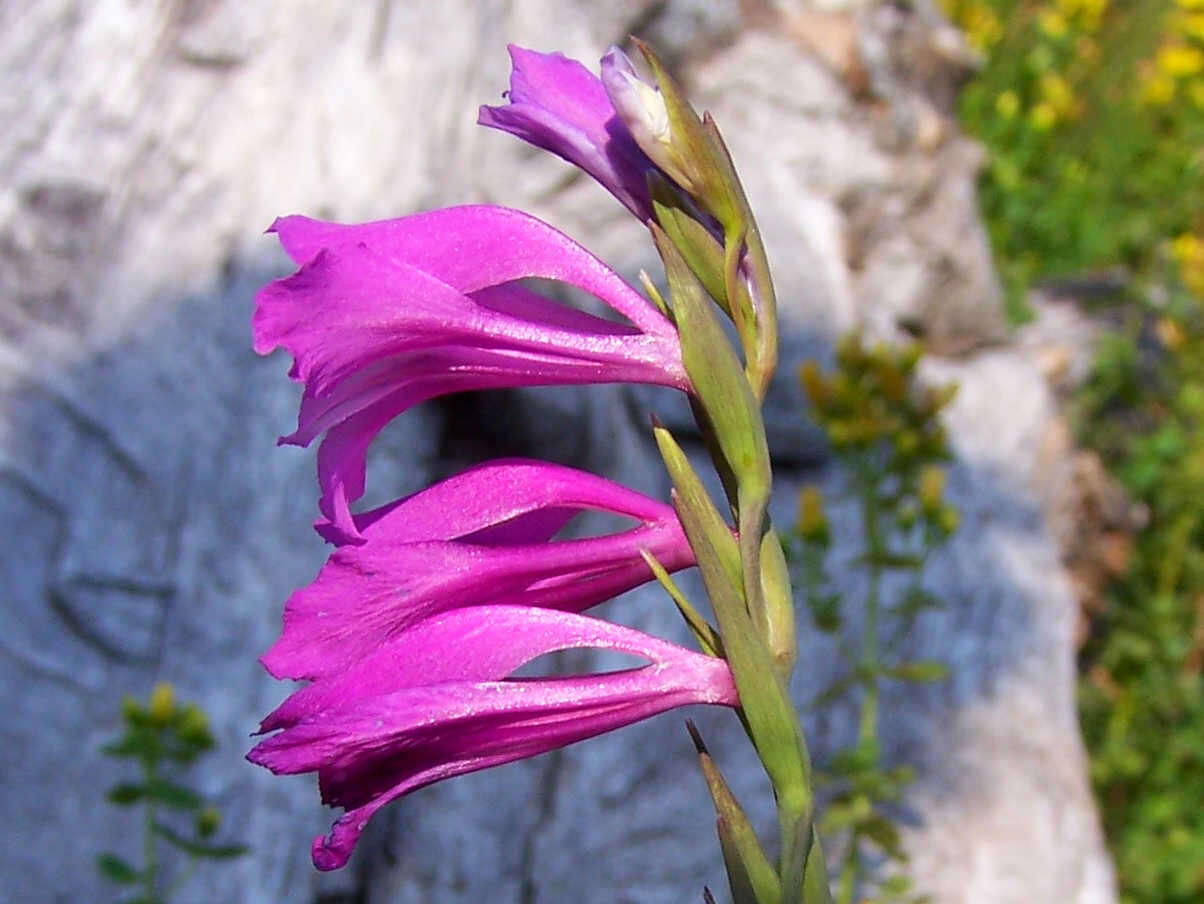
(387, 315)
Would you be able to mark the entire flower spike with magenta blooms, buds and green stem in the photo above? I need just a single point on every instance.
(411, 634)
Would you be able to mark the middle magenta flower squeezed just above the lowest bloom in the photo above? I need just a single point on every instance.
(482, 537)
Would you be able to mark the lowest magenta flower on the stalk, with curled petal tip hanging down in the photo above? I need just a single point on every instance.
(438, 701)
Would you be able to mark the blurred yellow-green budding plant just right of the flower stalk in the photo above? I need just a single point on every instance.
(887, 433)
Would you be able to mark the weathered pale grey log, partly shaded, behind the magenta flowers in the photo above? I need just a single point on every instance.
(155, 533)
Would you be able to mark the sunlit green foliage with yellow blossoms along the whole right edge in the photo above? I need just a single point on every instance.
(1093, 114)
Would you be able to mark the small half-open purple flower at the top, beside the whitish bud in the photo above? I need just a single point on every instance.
(560, 107)
